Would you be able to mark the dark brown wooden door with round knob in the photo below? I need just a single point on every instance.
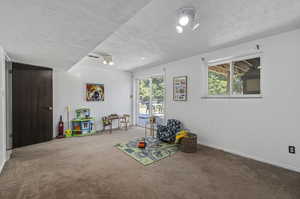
(32, 104)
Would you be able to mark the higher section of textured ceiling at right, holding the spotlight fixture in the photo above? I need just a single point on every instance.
(151, 32)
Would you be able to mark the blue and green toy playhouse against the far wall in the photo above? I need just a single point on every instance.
(83, 124)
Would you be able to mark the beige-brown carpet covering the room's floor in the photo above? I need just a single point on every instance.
(90, 168)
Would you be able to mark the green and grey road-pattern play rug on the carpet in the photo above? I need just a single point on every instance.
(155, 150)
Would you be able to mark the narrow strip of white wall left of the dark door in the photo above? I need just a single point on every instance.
(2, 110)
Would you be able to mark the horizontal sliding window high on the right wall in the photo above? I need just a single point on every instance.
(235, 78)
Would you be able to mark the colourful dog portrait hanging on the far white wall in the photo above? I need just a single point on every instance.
(94, 92)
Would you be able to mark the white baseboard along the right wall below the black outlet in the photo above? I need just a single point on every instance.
(253, 158)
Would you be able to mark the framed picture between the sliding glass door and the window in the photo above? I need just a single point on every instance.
(180, 88)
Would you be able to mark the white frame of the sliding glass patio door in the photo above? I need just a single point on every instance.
(137, 89)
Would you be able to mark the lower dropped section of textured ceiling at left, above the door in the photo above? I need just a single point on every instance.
(58, 33)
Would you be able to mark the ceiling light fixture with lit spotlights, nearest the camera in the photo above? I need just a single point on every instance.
(186, 16)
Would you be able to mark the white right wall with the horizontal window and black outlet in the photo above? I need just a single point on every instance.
(261, 129)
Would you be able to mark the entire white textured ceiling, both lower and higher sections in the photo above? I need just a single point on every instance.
(59, 33)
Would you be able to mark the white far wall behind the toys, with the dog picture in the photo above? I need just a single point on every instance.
(69, 89)
